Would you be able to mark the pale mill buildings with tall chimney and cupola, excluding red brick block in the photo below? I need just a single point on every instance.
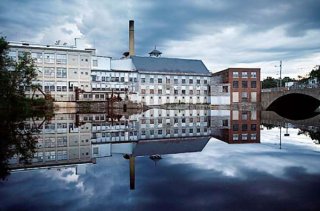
(153, 80)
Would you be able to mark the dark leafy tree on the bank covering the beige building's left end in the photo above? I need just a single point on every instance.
(14, 76)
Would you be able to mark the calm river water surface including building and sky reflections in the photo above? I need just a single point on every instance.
(175, 160)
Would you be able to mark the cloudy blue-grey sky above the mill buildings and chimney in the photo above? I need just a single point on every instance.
(246, 33)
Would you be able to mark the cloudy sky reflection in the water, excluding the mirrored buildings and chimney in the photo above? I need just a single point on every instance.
(222, 176)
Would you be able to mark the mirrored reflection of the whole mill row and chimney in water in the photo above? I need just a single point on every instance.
(74, 139)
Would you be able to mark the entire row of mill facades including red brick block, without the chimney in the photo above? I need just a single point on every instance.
(69, 74)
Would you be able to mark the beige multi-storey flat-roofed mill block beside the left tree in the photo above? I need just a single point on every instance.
(60, 69)
